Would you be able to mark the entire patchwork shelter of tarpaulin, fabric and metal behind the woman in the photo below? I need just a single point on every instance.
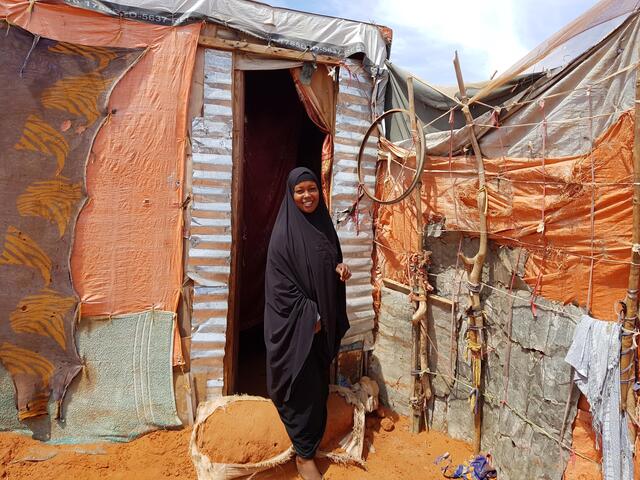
(139, 273)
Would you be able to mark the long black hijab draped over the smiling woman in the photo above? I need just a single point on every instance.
(301, 284)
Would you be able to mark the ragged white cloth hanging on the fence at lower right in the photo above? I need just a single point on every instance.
(595, 356)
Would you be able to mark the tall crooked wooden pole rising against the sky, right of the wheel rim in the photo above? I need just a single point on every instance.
(474, 311)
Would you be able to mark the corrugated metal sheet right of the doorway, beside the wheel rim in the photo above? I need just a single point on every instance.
(353, 117)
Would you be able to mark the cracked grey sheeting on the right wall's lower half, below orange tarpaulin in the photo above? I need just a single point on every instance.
(538, 381)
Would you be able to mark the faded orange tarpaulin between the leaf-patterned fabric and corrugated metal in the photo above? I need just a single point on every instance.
(127, 255)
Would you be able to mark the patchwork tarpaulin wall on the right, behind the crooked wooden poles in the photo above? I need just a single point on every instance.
(556, 138)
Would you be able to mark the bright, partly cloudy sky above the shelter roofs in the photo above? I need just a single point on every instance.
(427, 32)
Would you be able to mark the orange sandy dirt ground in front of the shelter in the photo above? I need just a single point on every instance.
(397, 454)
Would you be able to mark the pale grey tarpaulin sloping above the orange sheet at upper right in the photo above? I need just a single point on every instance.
(581, 101)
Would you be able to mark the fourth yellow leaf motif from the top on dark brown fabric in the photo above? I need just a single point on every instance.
(54, 200)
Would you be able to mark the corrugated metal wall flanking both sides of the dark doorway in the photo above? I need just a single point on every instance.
(210, 228)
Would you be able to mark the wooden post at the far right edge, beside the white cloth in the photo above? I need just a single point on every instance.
(627, 353)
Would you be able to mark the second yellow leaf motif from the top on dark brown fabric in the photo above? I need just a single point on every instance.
(77, 95)
